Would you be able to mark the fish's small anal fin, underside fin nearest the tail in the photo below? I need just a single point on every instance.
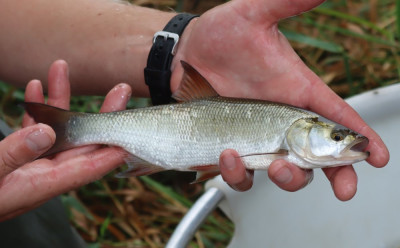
(138, 167)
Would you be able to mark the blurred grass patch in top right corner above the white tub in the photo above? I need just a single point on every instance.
(352, 45)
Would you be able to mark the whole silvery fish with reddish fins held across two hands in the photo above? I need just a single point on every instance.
(191, 134)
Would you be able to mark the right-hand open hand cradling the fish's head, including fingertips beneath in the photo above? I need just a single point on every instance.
(239, 49)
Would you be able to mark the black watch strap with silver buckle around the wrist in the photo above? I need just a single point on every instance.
(157, 74)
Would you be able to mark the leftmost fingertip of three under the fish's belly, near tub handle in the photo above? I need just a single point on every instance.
(233, 171)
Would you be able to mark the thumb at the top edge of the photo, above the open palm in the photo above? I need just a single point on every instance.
(271, 11)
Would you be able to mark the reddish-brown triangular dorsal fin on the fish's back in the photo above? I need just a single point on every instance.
(193, 85)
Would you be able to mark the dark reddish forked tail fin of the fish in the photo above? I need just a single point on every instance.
(57, 119)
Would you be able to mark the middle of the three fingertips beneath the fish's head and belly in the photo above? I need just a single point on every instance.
(288, 176)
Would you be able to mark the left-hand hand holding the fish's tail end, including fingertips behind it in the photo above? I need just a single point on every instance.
(24, 183)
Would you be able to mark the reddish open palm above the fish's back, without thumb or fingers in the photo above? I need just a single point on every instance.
(246, 58)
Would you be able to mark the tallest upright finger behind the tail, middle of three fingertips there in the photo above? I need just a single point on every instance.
(59, 87)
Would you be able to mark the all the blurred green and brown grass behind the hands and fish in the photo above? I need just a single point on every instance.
(352, 45)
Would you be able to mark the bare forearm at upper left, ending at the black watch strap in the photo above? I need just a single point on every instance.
(104, 42)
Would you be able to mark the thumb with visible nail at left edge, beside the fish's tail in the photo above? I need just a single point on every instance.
(24, 146)
